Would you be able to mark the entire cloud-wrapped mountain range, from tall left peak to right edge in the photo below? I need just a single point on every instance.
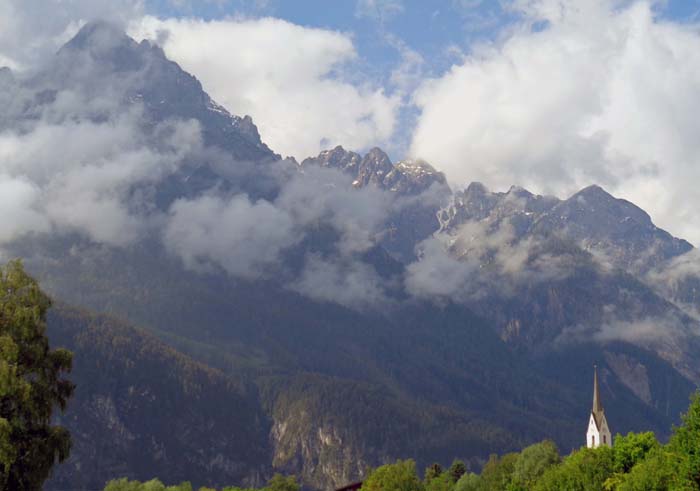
(343, 311)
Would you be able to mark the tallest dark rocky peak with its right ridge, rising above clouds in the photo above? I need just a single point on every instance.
(102, 59)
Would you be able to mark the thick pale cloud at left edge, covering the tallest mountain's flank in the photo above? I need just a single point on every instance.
(89, 185)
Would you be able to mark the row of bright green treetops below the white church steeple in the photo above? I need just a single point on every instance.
(637, 462)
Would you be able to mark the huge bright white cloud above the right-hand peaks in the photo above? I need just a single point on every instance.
(578, 92)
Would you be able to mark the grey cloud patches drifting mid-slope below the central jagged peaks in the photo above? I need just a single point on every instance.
(248, 238)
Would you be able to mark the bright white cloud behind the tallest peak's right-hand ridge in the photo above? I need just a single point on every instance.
(285, 76)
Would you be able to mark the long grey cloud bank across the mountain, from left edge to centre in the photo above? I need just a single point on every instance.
(93, 165)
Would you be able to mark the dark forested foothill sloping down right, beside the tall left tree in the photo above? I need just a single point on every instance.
(141, 409)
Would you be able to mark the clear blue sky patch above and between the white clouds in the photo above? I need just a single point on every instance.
(428, 27)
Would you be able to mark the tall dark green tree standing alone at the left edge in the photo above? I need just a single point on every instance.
(31, 385)
